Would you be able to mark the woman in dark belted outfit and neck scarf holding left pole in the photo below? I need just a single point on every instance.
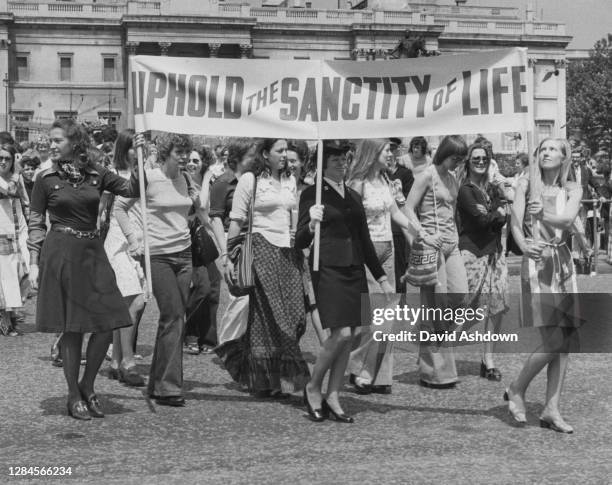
(77, 289)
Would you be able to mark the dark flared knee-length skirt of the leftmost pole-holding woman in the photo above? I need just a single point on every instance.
(77, 287)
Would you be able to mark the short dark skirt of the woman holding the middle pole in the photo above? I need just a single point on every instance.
(338, 292)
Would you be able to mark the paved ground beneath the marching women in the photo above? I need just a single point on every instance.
(223, 435)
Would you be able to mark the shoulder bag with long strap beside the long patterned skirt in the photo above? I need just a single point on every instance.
(240, 253)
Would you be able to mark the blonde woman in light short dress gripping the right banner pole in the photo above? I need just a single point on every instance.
(548, 280)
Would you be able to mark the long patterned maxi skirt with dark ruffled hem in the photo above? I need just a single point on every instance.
(268, 355)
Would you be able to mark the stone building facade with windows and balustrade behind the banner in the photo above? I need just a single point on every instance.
(63, 58)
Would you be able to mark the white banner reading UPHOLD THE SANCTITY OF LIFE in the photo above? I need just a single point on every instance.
(484, 91)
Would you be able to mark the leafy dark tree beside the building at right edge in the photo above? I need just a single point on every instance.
(589, 94)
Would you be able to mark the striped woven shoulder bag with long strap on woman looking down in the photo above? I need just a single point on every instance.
(423, 259)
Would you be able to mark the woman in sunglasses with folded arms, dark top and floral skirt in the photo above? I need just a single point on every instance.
(481, 217)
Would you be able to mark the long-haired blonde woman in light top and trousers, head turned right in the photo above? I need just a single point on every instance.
(371, 363)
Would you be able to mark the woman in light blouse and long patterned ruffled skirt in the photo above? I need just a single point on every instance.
(267, 358)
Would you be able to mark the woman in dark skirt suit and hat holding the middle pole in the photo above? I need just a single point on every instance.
(341, 279)
